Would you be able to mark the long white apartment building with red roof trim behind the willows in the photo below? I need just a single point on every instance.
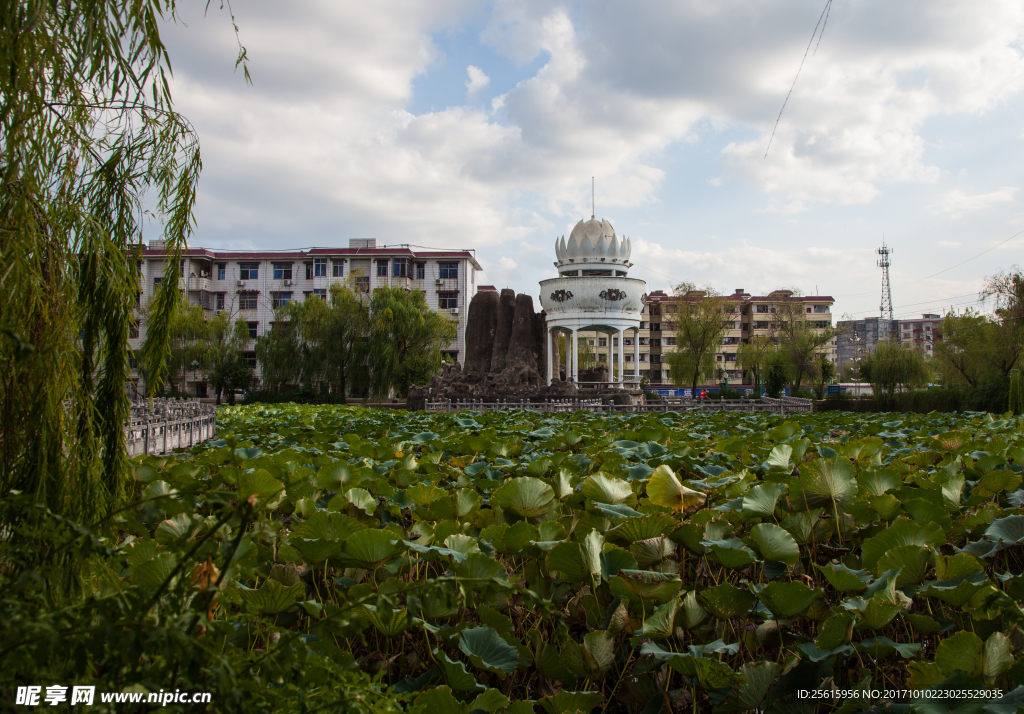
(254, 284)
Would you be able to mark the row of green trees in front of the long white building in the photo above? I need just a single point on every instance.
(349, 344)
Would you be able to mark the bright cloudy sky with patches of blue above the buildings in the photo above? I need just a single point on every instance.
(479, 125)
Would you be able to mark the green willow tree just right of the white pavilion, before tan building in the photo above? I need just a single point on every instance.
(701, 322)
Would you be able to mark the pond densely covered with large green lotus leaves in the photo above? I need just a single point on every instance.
(518, 562)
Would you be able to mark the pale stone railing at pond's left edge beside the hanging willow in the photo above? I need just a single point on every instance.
(161, 426)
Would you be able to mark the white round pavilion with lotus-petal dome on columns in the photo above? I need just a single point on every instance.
(593, 293)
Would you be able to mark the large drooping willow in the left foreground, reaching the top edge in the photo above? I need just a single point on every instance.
(89, 135)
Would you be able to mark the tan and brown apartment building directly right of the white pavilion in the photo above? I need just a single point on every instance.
(754, 315)
